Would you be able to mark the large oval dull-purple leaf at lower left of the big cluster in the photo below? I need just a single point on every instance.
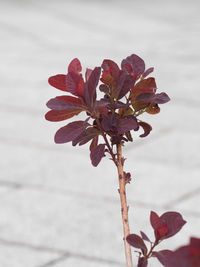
(70, 131)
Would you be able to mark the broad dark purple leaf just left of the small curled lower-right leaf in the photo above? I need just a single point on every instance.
(127, 124)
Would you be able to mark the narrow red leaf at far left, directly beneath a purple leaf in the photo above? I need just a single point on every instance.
(60, 115)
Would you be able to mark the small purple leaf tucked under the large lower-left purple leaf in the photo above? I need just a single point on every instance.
(86, 136)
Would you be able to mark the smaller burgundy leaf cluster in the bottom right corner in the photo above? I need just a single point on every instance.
(165, 226)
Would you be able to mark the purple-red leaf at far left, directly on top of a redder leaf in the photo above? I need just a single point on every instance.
(65, 103)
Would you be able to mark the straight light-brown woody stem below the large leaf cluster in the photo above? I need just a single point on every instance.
(124, 207)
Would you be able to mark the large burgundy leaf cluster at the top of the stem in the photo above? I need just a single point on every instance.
(126, 94)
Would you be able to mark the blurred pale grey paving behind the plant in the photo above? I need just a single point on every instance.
(55, 208)
